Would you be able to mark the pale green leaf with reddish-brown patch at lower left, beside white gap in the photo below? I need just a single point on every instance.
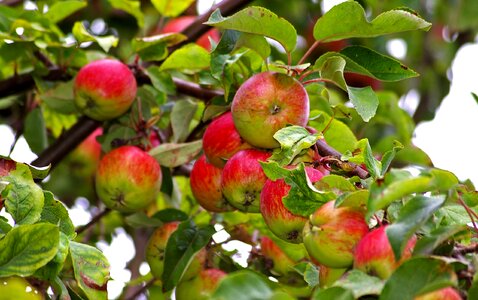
(91, 269)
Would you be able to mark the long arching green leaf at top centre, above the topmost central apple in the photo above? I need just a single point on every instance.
(258, 20)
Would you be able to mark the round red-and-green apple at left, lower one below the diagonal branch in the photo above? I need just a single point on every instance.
(128, 179)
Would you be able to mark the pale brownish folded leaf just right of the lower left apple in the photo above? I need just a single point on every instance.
(173, 155)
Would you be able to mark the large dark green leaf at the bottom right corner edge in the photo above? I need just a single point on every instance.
(417, 276)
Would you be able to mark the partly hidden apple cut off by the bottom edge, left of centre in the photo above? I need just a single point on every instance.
(200, 287)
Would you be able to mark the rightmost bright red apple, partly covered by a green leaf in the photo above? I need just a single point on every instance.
(374, 255)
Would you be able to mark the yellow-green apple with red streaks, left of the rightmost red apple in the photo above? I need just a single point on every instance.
(331, 234)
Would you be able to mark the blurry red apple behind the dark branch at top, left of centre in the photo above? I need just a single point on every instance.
(180, 23)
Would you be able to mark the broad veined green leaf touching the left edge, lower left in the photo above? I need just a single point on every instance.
(26, 248)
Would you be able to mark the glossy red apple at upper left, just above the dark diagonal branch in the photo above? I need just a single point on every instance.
(104, 89)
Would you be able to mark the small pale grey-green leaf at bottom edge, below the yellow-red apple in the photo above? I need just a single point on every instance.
(360, 284)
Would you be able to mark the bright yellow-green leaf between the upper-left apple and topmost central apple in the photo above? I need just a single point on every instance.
(190, 57)
